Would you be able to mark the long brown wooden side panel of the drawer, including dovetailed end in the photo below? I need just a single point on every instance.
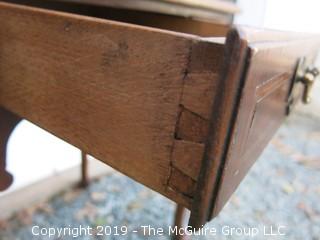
(114, 90)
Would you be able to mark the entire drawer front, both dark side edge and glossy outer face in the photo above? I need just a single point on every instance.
(255, 82)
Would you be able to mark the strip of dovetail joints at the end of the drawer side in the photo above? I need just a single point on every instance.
(191, 131)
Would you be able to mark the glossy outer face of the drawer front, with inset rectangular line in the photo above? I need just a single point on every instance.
(263, 103)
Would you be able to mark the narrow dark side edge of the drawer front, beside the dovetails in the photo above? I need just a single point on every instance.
(222, 111)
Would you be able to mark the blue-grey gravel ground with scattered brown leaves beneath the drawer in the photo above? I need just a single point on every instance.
(281, 190)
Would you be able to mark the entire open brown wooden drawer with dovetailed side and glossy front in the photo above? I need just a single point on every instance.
(184, 112)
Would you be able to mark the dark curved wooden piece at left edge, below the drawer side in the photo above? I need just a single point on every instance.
(8, 121)
